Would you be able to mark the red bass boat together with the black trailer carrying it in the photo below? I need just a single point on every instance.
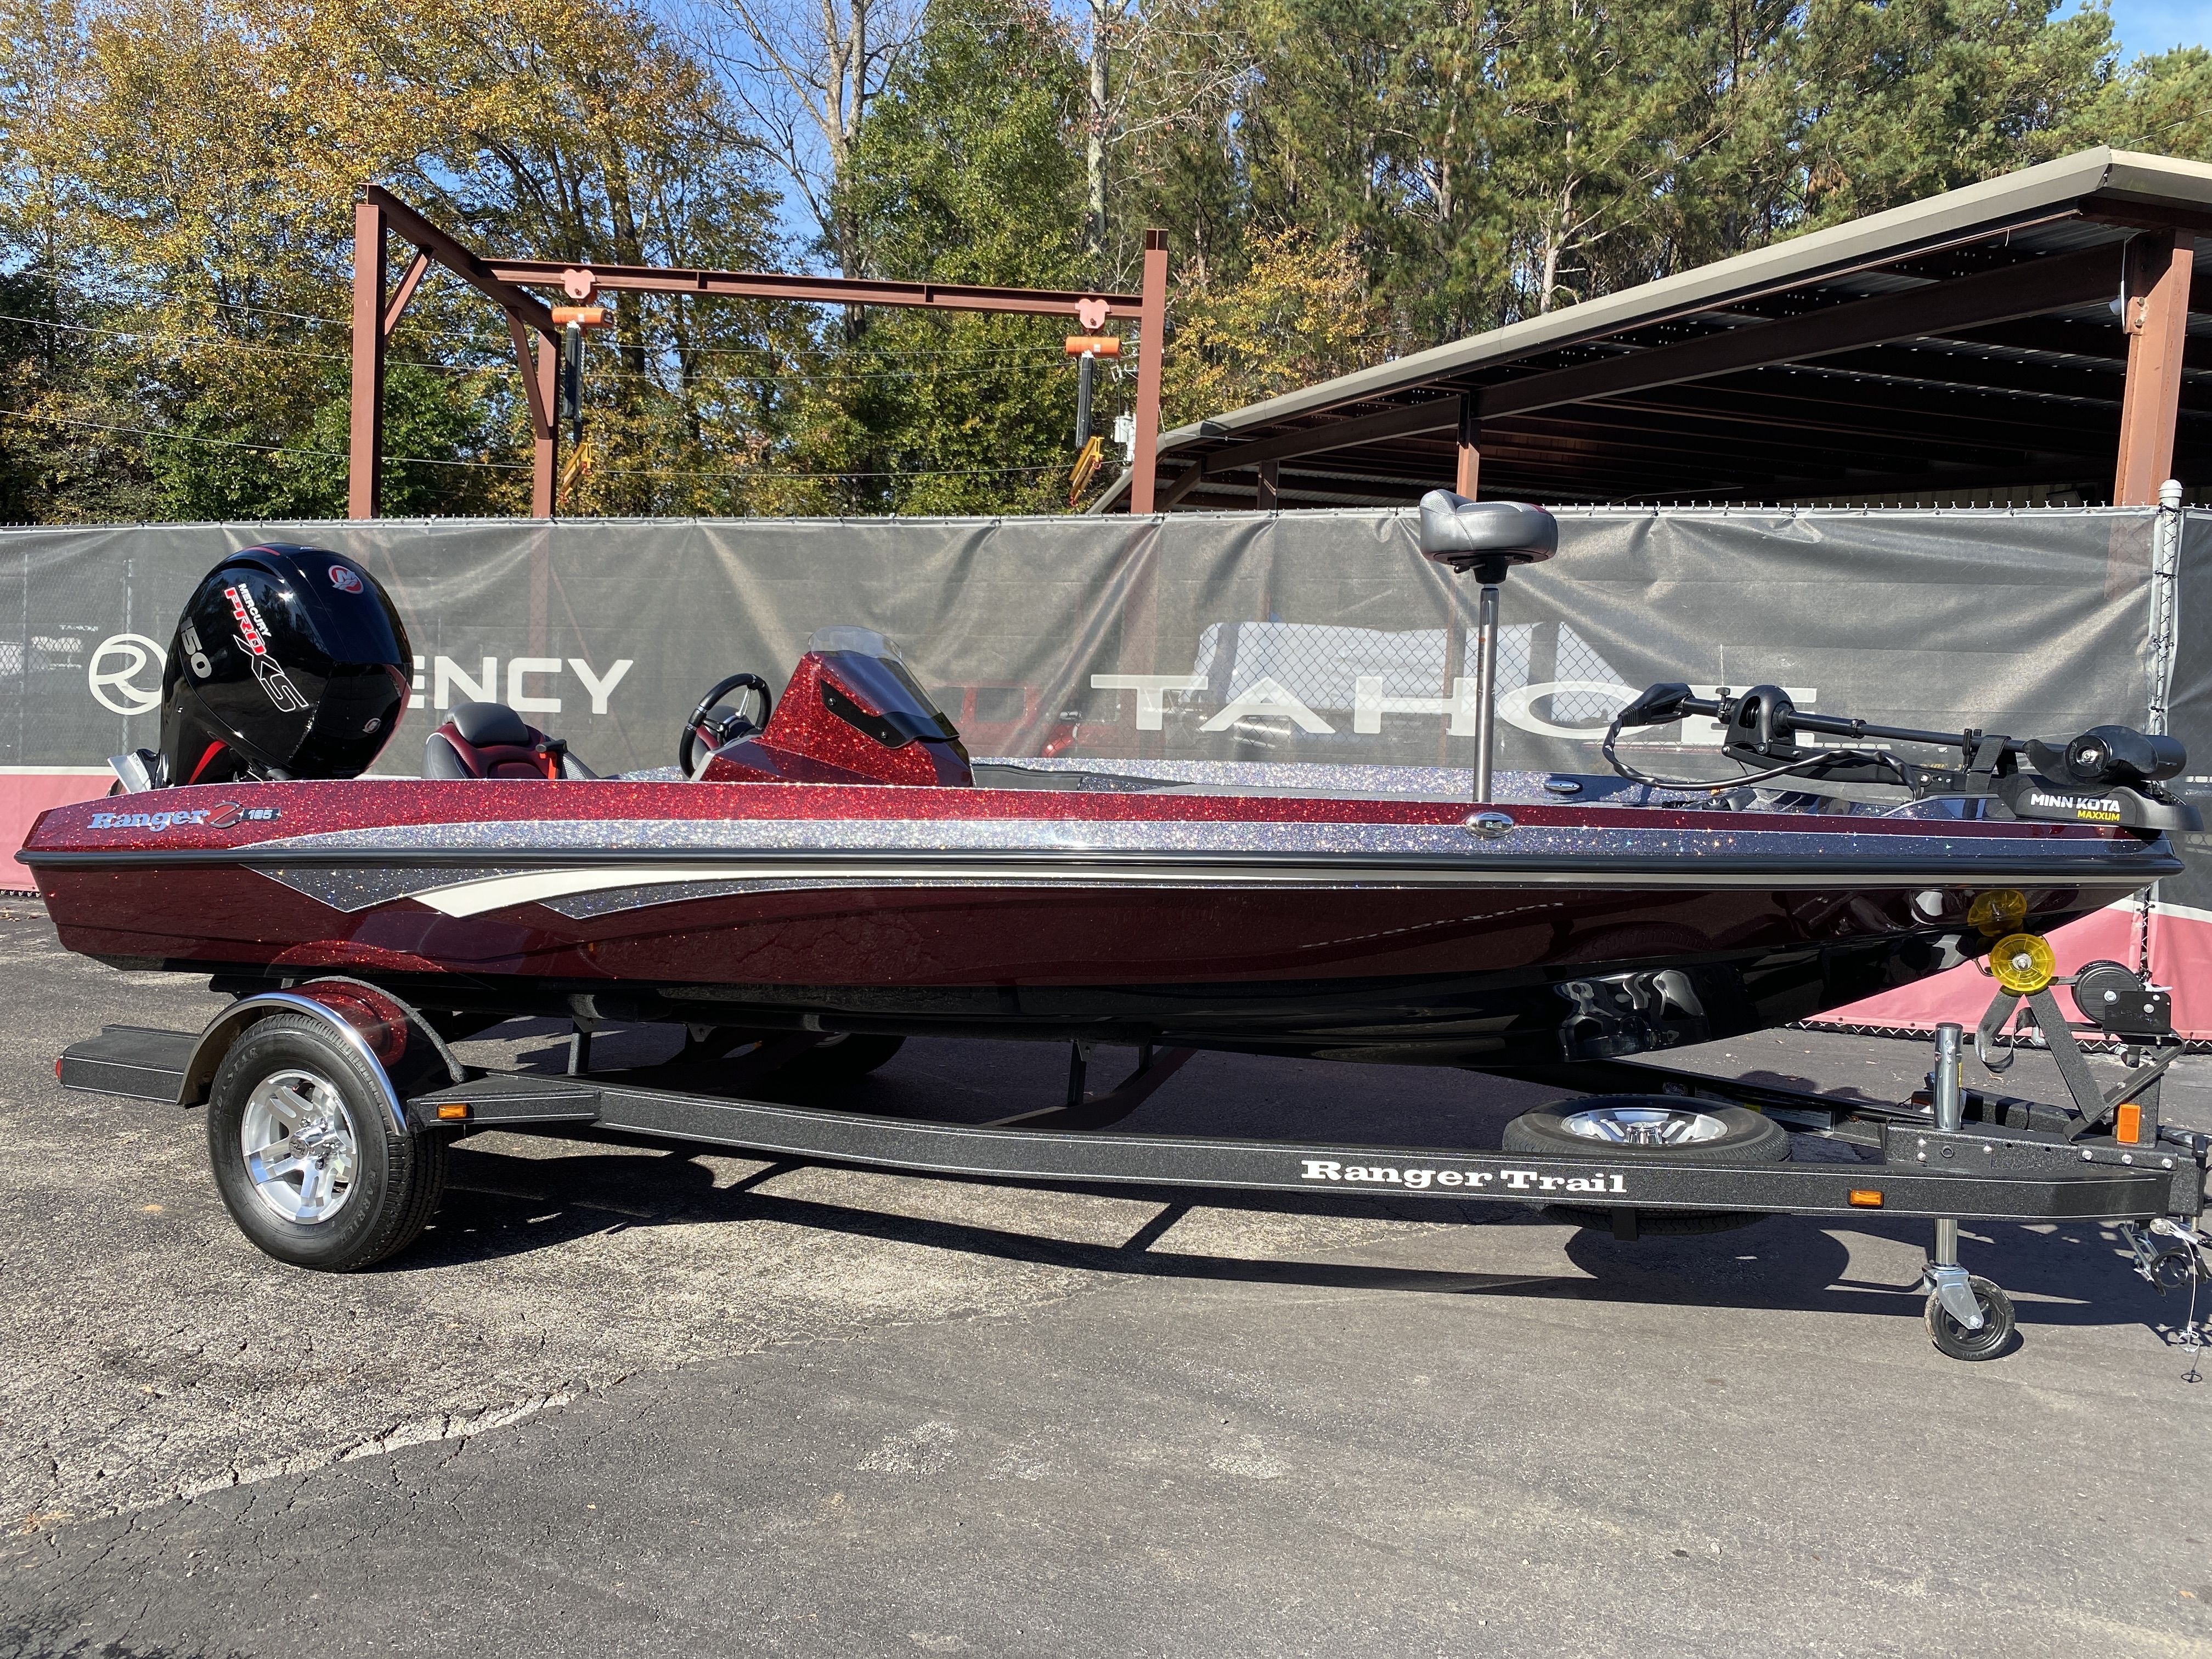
(828, 873)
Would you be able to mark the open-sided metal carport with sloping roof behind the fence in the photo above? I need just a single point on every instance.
(2038, 335)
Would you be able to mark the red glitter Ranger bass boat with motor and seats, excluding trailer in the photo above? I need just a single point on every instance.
(842, 866)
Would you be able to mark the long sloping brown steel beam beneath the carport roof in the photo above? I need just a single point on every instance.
(1992, 298)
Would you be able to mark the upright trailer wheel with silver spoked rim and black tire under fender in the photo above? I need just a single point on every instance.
(306, 1156)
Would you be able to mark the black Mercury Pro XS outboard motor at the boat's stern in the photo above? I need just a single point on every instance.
(289, 665)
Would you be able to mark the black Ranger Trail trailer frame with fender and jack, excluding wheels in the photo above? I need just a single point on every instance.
(1945, 1156)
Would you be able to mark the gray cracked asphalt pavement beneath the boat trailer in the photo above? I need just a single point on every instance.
(643, 1401)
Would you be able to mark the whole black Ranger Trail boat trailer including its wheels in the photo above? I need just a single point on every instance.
(320, 1063)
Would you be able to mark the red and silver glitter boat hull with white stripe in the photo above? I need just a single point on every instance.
(1381, 930)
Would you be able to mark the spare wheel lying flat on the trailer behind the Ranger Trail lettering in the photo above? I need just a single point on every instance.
(1667, 1129)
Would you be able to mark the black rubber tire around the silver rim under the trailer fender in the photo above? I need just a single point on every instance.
(395, 1180)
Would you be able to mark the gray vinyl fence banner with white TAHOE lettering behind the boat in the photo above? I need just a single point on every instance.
(1198, 638)
